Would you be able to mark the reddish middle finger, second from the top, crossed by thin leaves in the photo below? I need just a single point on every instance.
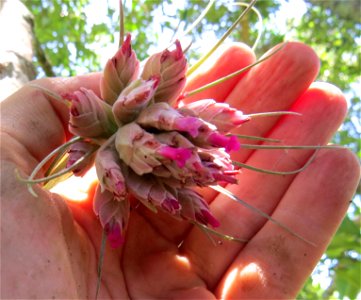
(273, 85)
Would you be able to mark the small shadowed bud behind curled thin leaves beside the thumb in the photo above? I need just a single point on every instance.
(76, 152)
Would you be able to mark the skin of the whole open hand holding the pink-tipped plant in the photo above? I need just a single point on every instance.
(50, 245)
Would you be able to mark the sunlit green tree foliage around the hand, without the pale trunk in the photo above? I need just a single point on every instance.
(68, 41)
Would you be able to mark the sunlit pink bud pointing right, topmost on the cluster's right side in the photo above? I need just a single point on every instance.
(221, 115)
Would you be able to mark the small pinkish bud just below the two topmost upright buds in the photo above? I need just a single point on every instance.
(133, 99)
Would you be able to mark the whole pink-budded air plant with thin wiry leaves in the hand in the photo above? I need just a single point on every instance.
(148, 146)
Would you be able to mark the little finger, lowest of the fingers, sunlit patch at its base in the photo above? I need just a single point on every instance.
(274, 264)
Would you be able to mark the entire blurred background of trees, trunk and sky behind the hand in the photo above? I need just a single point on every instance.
(68, 37)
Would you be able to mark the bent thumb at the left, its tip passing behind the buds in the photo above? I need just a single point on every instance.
(37, 121)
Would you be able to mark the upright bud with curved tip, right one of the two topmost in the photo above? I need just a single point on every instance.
(171, 67)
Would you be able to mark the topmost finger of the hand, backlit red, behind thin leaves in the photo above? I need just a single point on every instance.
(224, 61)
